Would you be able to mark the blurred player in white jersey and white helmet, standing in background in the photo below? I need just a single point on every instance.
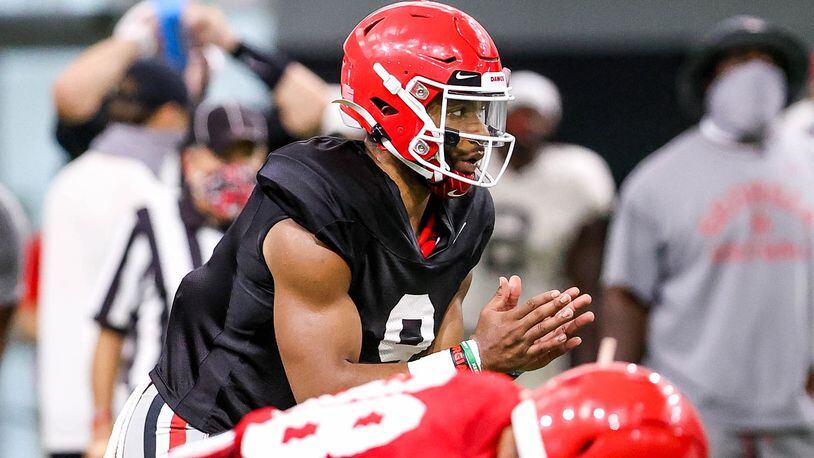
(548, 194)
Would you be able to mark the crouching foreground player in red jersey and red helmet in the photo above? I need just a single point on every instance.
(592, 411)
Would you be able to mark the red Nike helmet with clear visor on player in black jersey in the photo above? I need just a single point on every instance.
(402, 57)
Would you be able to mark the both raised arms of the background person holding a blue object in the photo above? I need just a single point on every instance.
(81, 92)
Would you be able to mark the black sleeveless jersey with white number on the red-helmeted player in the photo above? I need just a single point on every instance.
(220, 358)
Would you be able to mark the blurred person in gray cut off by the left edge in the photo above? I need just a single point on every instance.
(13, 229)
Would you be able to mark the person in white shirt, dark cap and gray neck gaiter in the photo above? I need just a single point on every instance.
(149, 116)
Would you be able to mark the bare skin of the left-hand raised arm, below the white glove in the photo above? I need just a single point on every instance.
(80, 89)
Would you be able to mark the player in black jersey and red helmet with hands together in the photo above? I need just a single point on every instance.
(352, 258)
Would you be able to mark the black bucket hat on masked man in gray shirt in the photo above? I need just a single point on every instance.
(741, 33)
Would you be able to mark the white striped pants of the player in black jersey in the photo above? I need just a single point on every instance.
(147, 427)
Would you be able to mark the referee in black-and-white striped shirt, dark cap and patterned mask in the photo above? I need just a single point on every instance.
(161, 243)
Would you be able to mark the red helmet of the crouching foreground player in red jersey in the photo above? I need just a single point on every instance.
(610, 410)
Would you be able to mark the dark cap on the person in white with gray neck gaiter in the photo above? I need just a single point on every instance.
(152, 83)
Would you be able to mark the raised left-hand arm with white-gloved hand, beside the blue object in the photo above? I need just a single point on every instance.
(80, 89)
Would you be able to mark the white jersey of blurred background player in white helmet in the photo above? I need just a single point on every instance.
(538, 212)
